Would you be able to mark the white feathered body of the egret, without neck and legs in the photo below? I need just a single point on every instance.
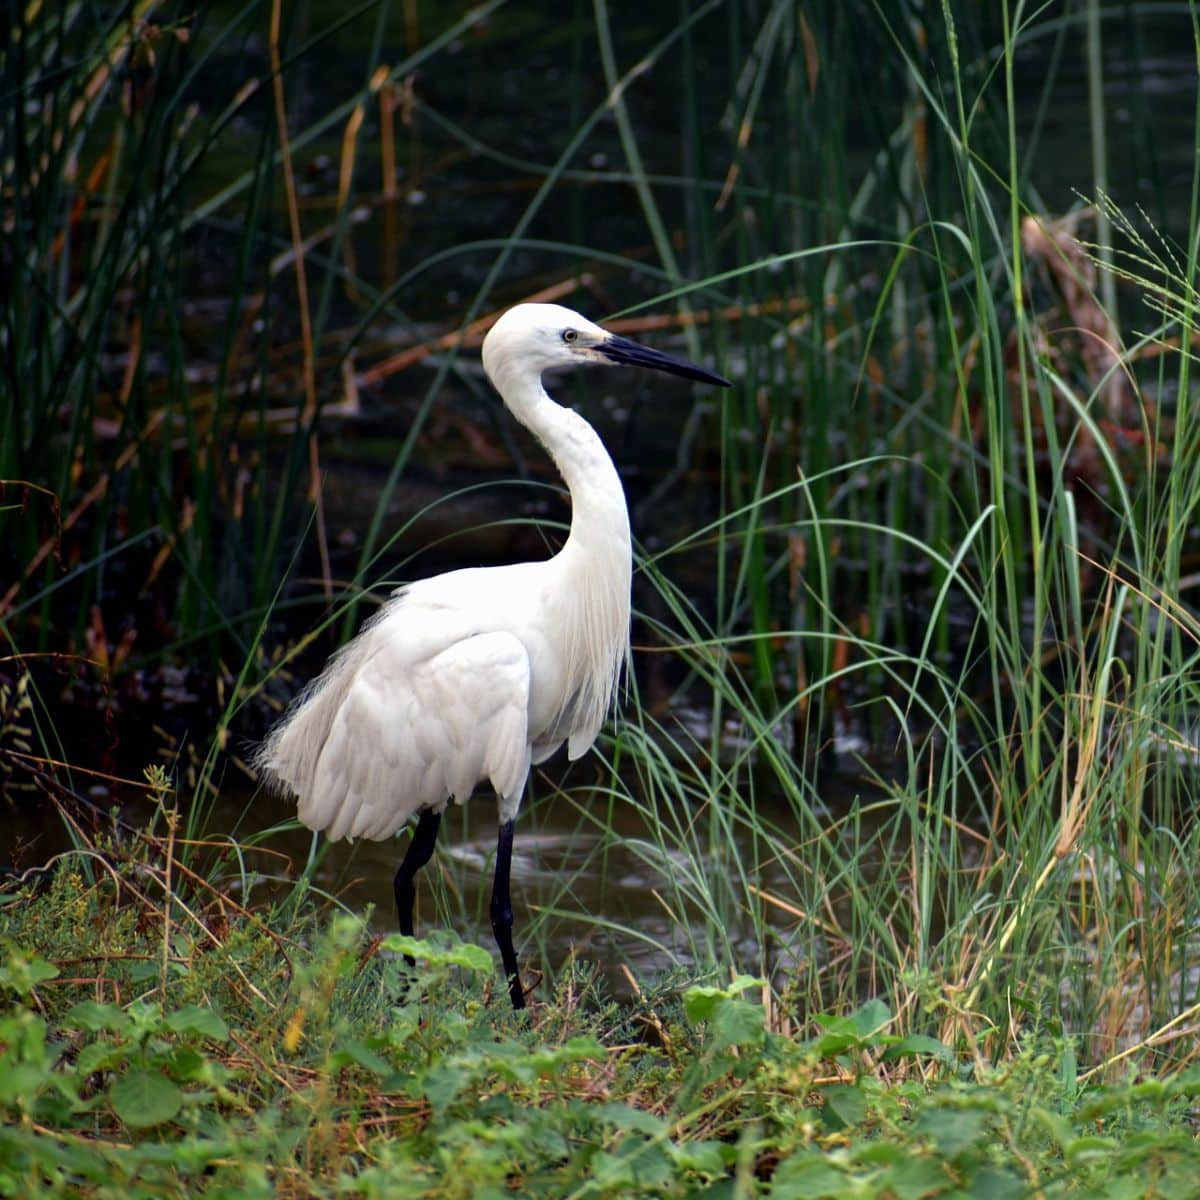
(459, 680)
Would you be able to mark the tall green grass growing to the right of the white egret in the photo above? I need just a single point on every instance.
(997, 592)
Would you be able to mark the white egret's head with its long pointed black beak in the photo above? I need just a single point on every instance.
(536, 338)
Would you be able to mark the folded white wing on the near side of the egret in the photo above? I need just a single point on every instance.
(412, 734)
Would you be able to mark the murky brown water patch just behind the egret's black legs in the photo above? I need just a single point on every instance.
(589, 880)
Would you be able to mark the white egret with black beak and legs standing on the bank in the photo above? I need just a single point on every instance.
(478, 674)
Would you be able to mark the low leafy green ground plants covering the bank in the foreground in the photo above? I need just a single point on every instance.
(160, 1045)
